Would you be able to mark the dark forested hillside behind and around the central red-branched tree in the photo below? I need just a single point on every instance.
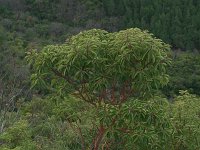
(32, 24)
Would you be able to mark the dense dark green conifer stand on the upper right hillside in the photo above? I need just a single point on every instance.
(175, 21)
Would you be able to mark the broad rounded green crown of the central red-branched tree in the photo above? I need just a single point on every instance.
(102, 66)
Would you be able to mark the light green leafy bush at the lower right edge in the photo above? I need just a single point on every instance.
(185, 117)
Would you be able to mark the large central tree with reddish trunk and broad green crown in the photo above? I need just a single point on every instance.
(114, 72)
